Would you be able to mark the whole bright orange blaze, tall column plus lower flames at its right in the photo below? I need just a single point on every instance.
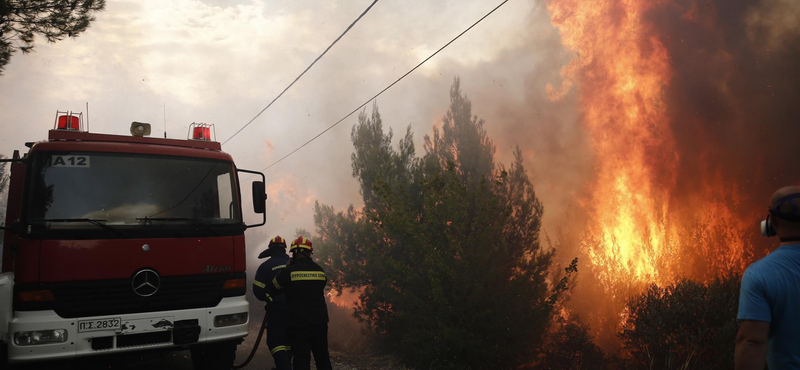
(638, 233)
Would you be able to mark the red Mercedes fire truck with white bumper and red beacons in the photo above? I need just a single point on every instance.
(118, 244)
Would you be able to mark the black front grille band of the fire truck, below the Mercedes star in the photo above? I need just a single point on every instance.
(112, 297)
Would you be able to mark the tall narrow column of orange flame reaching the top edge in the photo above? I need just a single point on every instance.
(623, 109)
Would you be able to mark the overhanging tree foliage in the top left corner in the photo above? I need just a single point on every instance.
(22, 20)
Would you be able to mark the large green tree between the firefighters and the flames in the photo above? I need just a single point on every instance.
(446, 248)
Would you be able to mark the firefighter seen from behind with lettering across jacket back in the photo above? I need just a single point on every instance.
(304, 282)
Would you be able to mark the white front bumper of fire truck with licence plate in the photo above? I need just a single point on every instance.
(60, 338)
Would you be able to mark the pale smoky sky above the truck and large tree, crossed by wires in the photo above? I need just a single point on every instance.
(171, 63)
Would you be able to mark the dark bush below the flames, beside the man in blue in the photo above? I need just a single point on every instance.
(685, 325)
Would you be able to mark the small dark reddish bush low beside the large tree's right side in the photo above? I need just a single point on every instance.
(570, 347)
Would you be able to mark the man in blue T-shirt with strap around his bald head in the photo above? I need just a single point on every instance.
(769, 300)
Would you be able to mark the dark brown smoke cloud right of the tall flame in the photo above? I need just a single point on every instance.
(730, 98)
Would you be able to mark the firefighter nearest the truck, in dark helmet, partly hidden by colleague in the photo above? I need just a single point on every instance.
(277, 311)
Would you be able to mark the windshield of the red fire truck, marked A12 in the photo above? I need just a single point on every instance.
(111, 195)
